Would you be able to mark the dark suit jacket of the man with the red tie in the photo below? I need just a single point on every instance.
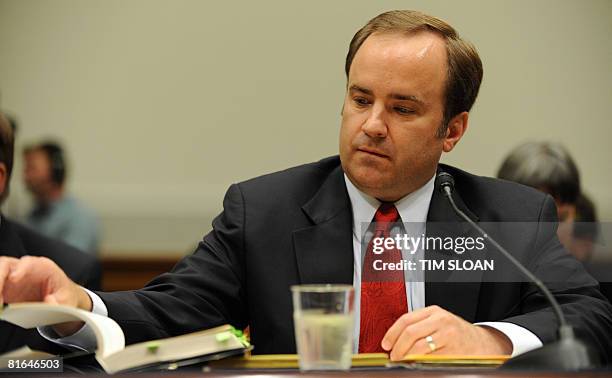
(294, 227)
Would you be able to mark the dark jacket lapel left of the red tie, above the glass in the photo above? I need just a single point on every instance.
(324, 251)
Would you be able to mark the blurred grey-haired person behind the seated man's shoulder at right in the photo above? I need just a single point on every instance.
(550, 168)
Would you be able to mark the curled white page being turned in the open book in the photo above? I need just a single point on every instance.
(109, 337)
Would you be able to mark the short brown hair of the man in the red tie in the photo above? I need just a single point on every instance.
(464, 65)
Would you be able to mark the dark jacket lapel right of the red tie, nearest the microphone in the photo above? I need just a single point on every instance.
(455, 291)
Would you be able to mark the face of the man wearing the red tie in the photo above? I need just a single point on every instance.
(392, 111)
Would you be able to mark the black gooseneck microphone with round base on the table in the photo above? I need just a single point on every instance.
(568, 353)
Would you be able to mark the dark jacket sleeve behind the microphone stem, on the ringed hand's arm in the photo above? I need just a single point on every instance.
(577, 292)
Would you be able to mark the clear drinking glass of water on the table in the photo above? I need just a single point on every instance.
(324, 319)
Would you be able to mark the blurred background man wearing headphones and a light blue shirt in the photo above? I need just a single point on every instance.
(57, 214)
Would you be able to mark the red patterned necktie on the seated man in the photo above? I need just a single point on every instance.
(383, 293)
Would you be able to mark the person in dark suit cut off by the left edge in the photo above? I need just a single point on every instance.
(17, 241)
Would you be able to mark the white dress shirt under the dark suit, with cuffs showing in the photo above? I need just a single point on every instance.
(413, 210)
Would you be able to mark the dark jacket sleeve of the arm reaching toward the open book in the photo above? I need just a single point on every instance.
(203, 290)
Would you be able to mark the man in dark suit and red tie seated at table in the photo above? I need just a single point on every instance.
(411, 83)
